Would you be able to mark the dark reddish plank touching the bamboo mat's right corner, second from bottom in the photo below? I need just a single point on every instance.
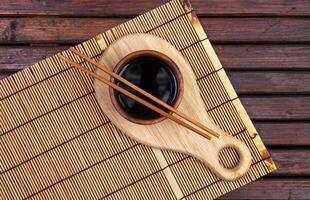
(291, 162)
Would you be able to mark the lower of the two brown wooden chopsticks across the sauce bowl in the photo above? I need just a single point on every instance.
(134, 97)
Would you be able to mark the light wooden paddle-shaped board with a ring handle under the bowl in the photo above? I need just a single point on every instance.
(167, 134)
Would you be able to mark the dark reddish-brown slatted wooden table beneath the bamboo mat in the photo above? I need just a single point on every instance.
(264, 46)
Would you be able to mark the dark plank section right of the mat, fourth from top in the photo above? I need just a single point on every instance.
(274, 82)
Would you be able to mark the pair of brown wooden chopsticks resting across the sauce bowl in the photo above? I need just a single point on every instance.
(136, 98)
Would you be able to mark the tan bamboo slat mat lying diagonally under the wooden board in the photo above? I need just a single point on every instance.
(56, 143)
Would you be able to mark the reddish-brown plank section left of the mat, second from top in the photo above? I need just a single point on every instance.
(53, 30)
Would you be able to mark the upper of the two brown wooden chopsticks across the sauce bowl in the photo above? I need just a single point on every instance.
(141, 91)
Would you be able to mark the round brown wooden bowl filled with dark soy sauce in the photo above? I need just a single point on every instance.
(155, 73)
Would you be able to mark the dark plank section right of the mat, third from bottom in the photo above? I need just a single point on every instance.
(284, 133)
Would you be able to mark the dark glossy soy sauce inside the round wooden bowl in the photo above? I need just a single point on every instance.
(152, 75)
